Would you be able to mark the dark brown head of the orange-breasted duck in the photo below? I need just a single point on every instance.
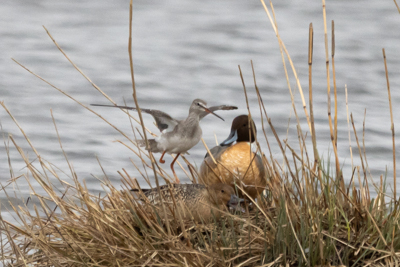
(243, 130)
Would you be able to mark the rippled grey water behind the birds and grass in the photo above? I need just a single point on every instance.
(182, 51)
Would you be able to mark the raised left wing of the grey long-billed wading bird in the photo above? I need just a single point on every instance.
(163, 120)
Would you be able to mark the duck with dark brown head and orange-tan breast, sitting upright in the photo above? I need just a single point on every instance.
(236, 163)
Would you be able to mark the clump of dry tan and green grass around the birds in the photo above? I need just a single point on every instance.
(308, 216)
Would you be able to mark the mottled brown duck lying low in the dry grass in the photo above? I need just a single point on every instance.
(193, 201)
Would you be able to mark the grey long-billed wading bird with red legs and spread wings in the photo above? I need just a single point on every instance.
(177, 136)
